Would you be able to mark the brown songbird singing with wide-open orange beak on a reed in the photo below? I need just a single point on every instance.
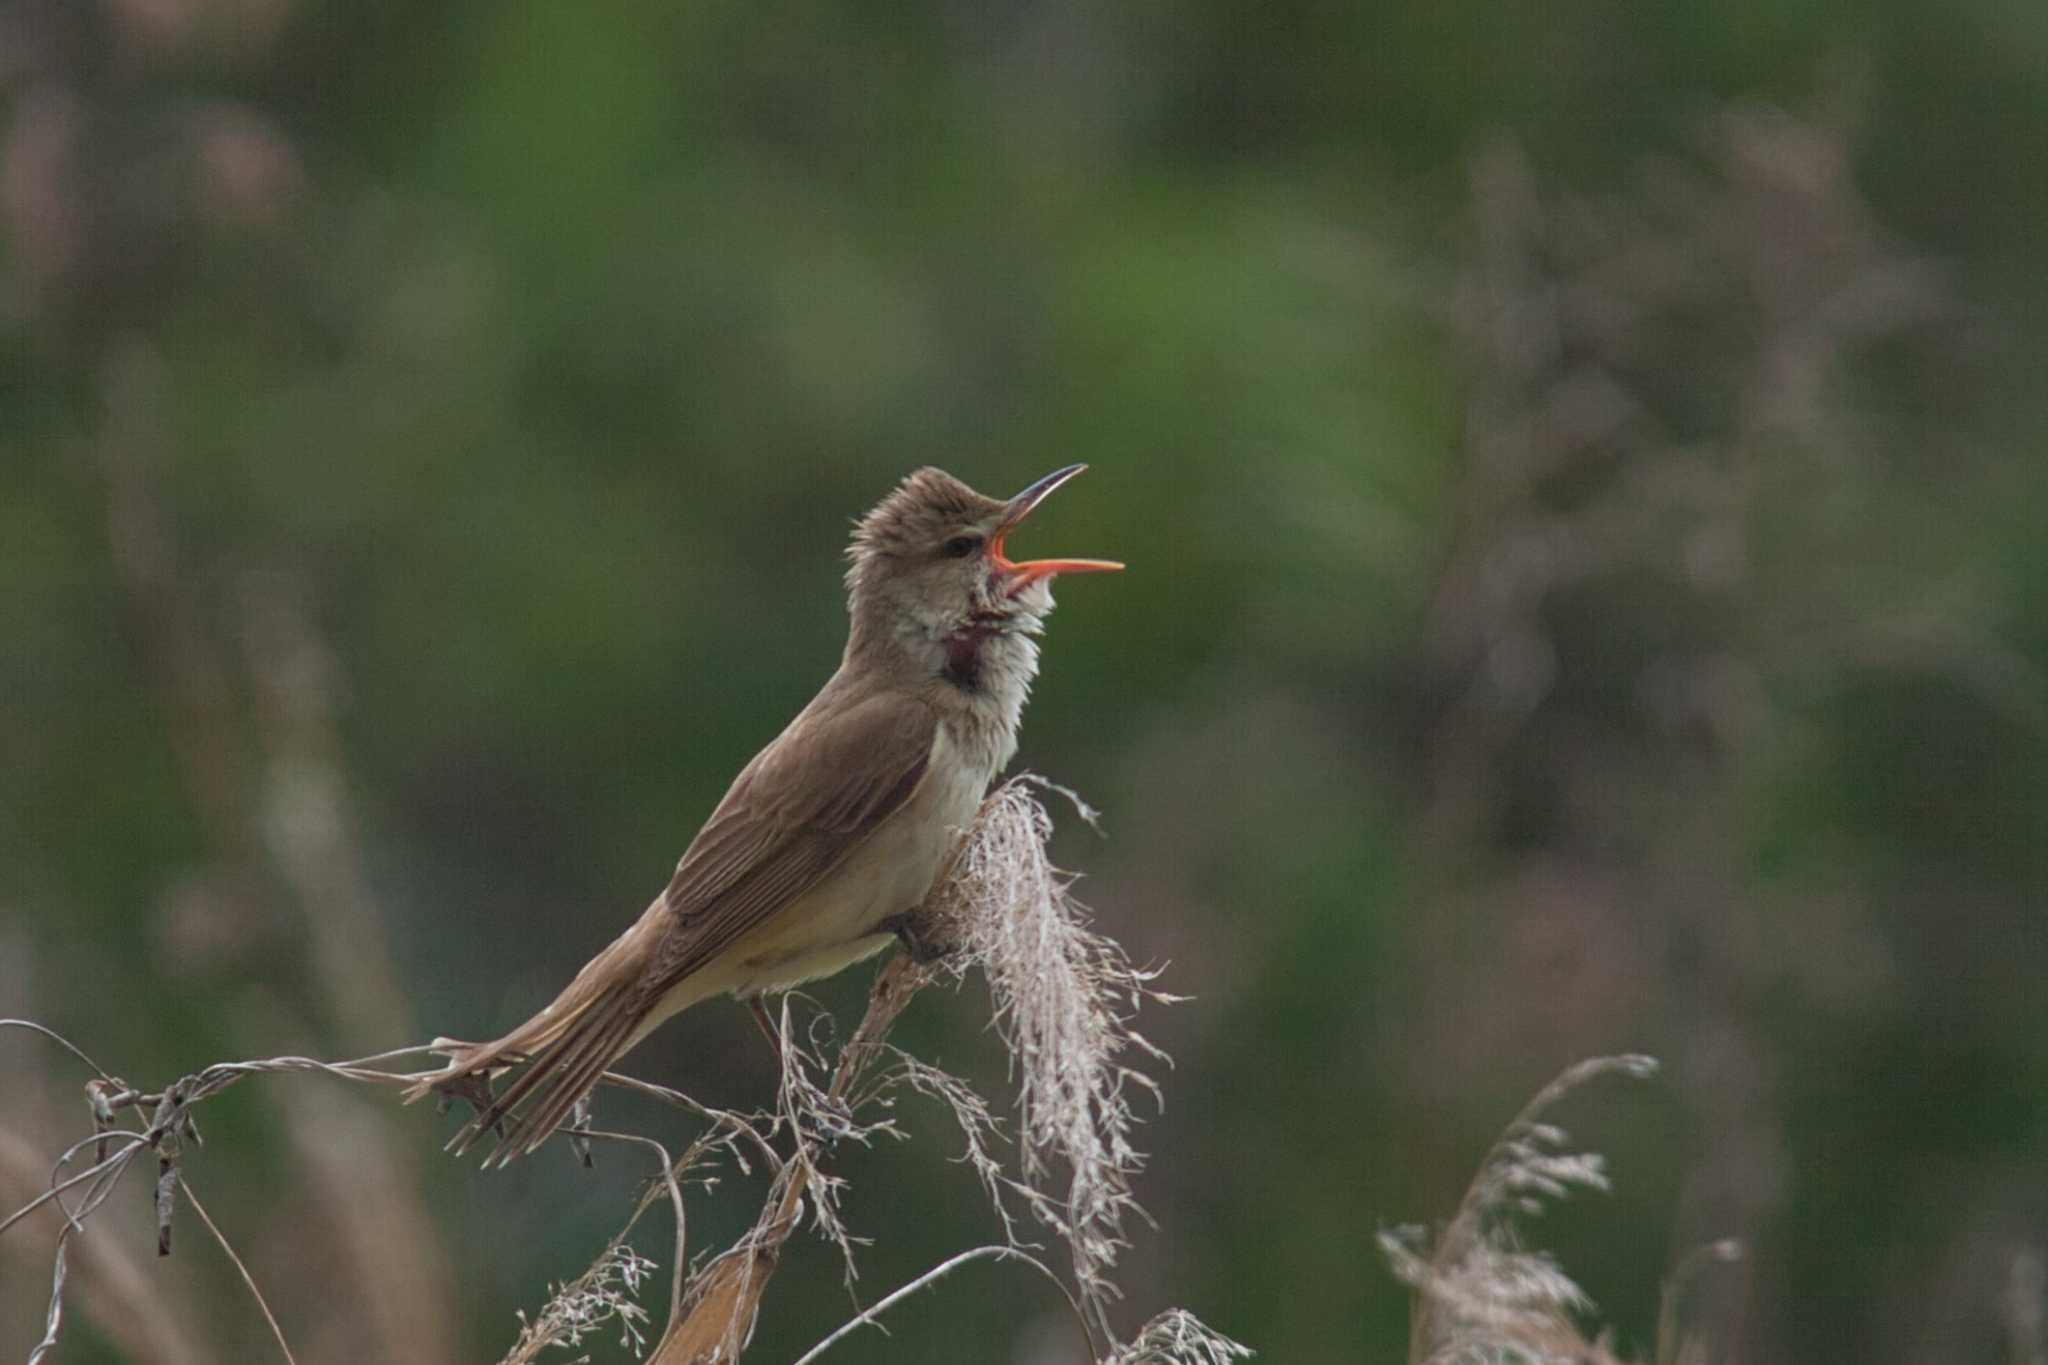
(835, 830)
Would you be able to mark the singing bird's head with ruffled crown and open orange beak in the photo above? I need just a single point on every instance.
(931, 576)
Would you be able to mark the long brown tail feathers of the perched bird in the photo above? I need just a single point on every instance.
(564, 1051)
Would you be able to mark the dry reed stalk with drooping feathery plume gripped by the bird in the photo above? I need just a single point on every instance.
(1064, 1002)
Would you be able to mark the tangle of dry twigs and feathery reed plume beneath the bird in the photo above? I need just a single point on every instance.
(1062, 996)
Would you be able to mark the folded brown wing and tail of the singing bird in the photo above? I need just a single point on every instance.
(806, 801)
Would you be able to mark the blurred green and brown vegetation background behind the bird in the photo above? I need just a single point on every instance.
(1580, 472)
